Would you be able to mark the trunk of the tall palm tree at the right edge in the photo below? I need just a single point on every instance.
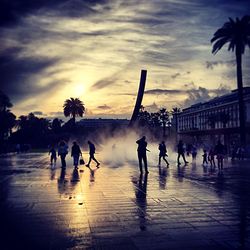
(240, 97)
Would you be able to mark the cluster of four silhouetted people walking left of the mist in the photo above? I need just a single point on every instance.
(76, 154)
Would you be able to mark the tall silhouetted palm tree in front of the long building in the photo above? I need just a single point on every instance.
(237, 34)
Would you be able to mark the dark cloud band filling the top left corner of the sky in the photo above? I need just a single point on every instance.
(12, 11)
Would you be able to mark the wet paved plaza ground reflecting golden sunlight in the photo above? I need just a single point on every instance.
(189, 207)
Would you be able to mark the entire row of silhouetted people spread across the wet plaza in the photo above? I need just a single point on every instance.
(213, 155)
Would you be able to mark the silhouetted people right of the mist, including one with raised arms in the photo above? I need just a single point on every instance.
(219, 151)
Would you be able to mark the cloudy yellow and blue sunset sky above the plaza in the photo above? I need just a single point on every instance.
(94, 50)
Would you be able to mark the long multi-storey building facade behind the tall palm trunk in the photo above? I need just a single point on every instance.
(214, 119)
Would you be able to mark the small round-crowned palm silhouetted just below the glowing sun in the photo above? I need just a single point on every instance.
(73, 107)
